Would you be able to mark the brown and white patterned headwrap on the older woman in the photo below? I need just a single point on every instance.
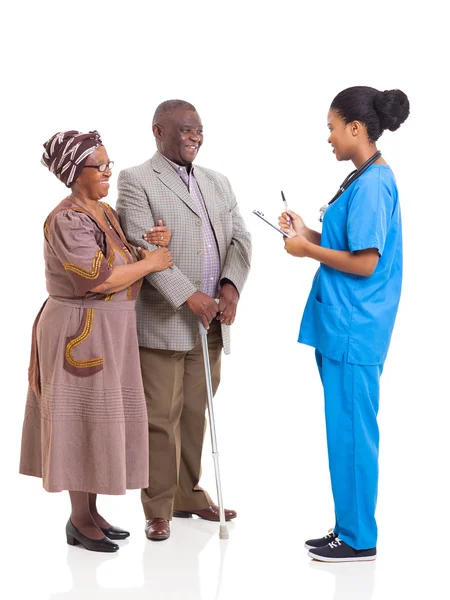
(67, 151)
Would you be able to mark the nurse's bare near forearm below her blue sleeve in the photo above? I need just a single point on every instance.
(362, 263)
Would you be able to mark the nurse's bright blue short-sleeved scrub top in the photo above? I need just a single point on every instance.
(349, 315)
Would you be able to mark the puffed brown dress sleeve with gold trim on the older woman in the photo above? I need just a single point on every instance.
(72, 237)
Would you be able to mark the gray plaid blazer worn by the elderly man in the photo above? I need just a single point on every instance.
(152, 191)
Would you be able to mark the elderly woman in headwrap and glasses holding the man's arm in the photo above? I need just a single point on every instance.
(85, 426)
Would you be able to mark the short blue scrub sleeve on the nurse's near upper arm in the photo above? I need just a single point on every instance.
(369, 215)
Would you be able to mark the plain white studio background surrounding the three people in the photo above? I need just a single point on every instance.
(262, 76)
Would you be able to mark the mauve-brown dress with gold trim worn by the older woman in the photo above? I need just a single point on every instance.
(85, 425)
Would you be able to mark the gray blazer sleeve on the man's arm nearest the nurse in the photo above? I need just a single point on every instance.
(239, 253)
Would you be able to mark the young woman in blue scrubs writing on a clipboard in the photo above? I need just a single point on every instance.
(350, 312)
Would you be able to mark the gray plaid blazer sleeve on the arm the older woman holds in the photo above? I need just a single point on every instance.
(136, 218)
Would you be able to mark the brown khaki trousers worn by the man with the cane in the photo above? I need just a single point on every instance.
(176, 396)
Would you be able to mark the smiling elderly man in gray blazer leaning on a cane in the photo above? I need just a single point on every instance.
(211, 252)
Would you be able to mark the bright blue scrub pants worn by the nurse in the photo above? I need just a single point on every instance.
(351, 406)
